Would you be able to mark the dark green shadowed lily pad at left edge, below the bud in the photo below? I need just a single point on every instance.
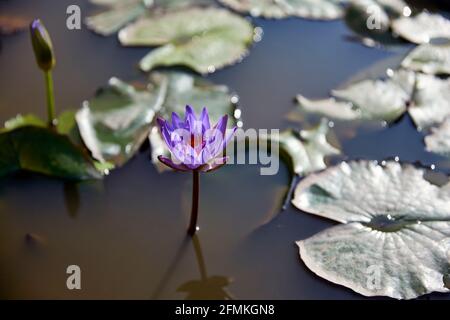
(42, 150)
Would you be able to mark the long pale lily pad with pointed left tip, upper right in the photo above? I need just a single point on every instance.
(368, 99)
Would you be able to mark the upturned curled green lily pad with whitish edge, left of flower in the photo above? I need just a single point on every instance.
(116, 122)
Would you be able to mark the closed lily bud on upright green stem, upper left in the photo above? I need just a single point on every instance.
(42, 46)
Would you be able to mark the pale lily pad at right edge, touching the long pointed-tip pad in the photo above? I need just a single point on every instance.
(431, 102)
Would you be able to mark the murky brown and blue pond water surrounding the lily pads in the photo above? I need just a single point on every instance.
(127, 232)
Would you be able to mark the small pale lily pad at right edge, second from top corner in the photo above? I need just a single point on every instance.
(429, 58)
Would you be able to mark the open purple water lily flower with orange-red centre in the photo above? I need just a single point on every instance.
(193, 143)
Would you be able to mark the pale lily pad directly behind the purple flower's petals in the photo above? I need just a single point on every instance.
(186, 89)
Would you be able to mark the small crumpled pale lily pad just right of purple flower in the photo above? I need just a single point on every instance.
(305, 150)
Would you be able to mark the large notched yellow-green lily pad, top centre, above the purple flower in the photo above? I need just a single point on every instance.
(203, 39)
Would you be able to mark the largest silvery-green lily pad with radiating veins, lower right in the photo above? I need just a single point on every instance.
(395, 231)
